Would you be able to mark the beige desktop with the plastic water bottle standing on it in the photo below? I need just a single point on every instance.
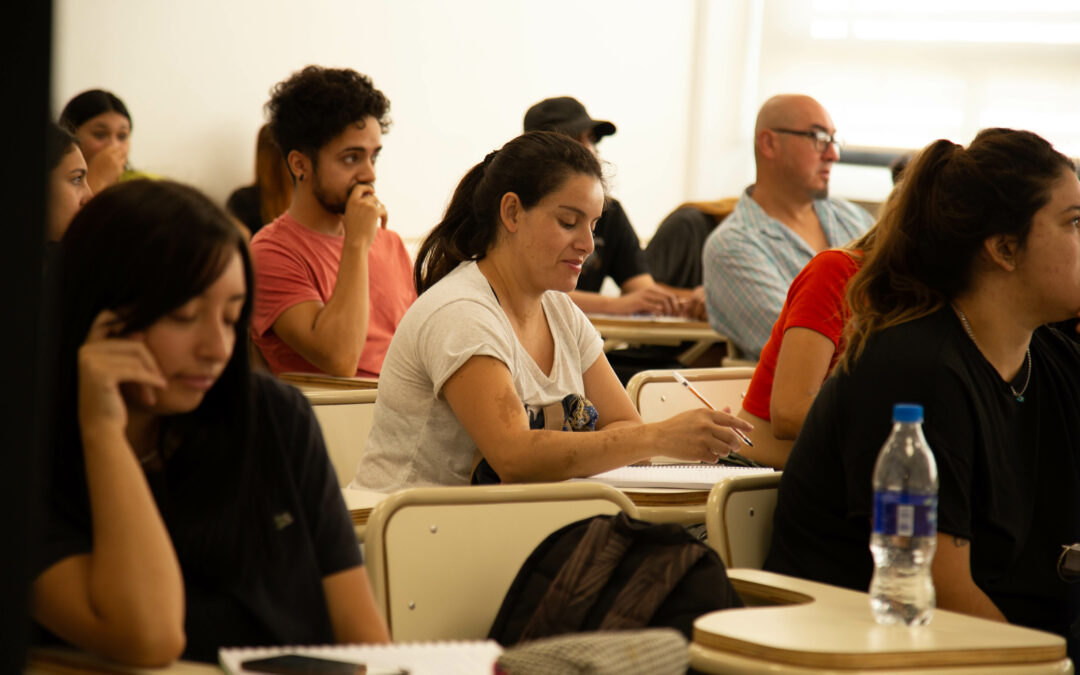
(798, 627)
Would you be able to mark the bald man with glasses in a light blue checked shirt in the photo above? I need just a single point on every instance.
(779, 223)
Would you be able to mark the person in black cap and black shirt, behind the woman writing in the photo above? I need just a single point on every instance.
(617, 252)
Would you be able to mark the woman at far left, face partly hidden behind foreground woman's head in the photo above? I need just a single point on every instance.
(69, 190)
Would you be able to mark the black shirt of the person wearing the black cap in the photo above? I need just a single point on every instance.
(616, 251)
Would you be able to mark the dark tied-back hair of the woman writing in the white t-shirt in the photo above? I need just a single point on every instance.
(532, 167)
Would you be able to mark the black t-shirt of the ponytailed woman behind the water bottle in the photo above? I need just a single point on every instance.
(1009, 476)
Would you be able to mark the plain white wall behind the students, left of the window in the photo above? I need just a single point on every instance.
(460, 76)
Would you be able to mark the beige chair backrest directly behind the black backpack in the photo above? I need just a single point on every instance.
(442, 559)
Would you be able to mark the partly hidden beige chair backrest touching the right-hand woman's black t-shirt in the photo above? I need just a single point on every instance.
(739, 519)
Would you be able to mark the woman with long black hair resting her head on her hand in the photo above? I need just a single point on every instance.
(192, 503)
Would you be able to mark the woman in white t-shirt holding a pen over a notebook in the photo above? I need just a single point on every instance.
(494, 361)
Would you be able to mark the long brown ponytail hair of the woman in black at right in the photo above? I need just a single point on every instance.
(931, 231)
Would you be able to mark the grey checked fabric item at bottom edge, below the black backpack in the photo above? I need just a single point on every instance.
(653, 652)
